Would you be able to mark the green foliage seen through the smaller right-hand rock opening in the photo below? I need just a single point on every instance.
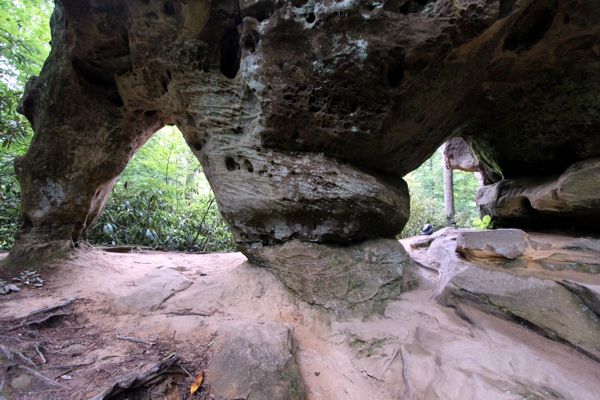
(426, 186)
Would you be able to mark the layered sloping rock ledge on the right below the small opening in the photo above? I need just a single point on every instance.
(507, 275)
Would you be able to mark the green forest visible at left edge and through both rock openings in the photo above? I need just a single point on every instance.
(162, 199)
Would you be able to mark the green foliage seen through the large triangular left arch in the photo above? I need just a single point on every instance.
(162, 200)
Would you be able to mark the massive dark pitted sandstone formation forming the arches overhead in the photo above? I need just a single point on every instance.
(304, 114)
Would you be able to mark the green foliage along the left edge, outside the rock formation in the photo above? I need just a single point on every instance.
(24, 37)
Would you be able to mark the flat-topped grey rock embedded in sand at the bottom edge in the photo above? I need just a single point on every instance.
(255, 361)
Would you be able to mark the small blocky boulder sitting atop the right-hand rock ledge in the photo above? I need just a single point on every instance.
(499, 243)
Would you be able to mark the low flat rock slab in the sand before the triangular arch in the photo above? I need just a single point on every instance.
(153, 289)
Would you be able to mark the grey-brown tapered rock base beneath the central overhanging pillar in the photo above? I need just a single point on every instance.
(349, 279)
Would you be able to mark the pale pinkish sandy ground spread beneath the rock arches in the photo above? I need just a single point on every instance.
(441, 355)
